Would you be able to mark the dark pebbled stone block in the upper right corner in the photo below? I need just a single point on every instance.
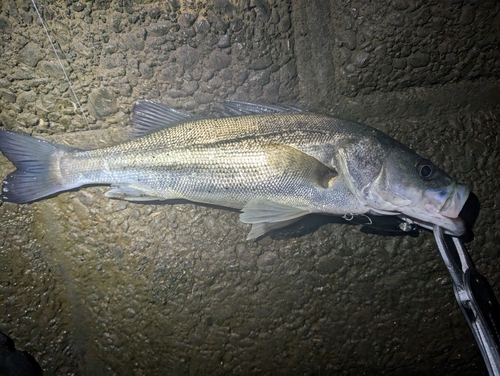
(413, 43)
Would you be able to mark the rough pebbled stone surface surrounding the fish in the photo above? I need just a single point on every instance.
(92, 286)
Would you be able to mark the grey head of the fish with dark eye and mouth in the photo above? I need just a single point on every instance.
(394, 180)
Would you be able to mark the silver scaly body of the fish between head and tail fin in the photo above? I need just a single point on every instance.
(228, 162)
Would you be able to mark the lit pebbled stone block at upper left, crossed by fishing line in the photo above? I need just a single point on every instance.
(191, 54)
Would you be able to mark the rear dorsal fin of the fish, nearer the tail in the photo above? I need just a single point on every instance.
(150, 116)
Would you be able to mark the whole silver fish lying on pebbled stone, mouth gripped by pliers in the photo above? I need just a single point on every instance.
(274, 163)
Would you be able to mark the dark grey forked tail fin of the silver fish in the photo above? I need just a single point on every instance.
(34, 177)
